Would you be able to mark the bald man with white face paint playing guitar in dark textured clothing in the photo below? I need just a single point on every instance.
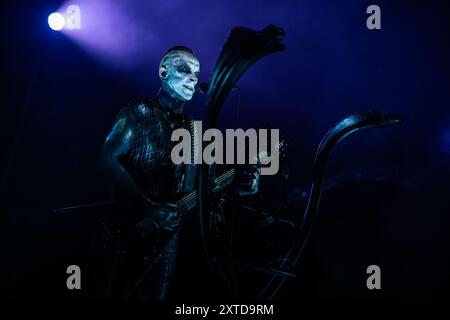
(136, 156)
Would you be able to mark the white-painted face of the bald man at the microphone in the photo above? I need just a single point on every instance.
(179, 75)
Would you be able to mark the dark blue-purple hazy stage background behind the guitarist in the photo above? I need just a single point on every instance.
(60, 97)
